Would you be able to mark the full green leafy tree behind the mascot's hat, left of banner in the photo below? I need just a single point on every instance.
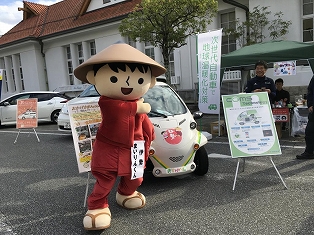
(167, 23)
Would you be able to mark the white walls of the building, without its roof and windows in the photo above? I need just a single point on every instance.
(50, 72)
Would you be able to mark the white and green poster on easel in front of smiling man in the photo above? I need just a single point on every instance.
(250, 124)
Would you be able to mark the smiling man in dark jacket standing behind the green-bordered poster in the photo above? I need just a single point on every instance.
(261, 83)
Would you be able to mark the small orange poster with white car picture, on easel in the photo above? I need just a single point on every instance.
(26, 114)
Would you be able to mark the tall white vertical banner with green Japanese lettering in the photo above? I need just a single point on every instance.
(209, 57)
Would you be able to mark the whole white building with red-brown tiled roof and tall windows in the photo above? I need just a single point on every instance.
(41, 52)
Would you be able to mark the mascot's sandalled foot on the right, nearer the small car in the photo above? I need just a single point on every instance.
(131, 202)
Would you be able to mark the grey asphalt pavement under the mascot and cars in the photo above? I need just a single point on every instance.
(43, 193)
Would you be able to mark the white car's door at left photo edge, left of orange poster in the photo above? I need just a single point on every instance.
(9, 108)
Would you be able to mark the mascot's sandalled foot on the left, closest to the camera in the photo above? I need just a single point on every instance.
(97, 219)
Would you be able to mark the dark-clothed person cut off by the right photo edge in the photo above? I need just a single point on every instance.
(309, 130)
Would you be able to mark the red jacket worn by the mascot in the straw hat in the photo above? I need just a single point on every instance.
(120, 127)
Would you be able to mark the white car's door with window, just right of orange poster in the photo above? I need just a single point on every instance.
(45, 104)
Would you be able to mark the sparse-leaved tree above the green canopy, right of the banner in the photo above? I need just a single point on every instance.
(252, 31)
